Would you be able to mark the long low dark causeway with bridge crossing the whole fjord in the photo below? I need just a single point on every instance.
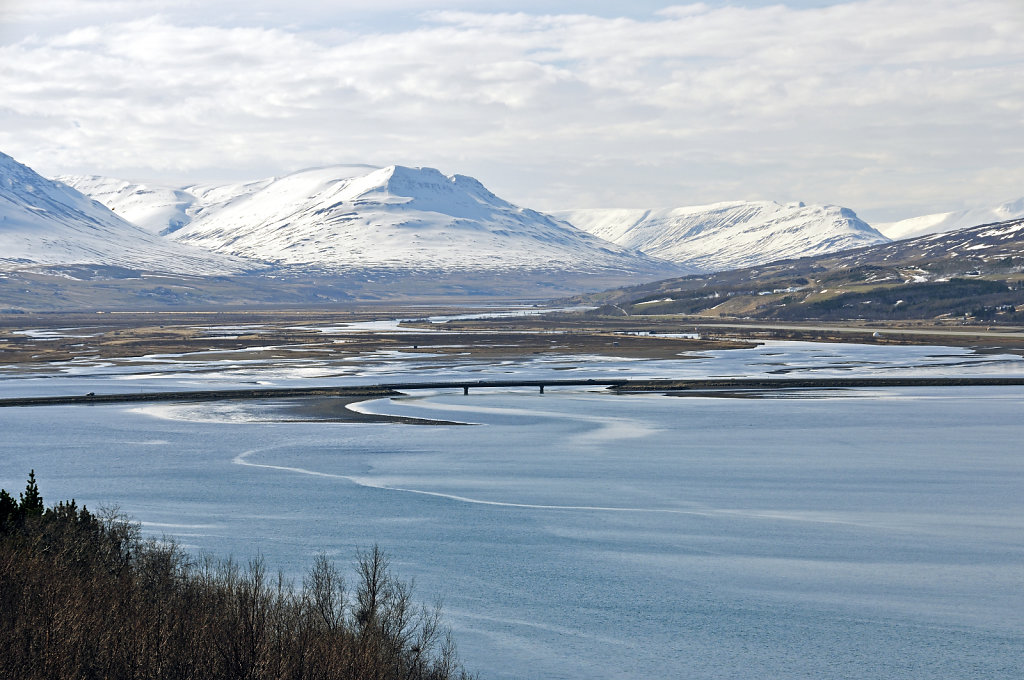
(617, 385)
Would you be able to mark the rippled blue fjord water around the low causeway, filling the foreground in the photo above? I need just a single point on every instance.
(856, 534)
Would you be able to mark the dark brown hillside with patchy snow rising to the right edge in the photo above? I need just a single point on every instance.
(978, 272)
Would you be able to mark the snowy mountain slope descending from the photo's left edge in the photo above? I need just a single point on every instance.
(48, 223)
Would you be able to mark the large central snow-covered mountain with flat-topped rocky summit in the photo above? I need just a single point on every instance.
(344, 218)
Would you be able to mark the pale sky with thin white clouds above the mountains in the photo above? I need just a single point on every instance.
(892, 108)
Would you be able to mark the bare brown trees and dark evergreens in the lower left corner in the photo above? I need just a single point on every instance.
(84, 596)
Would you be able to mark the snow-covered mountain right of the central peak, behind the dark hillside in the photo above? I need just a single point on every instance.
(727, 236)
